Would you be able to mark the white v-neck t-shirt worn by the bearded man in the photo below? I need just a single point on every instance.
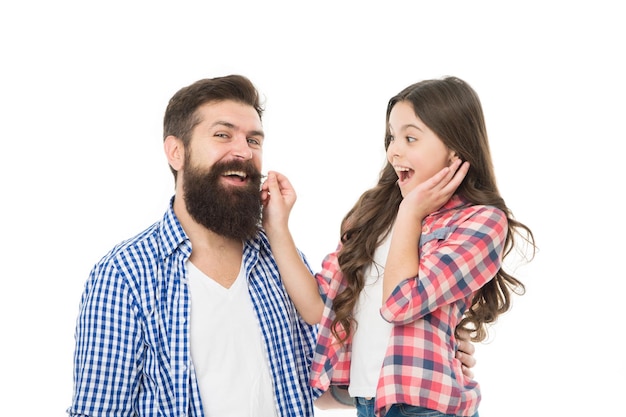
(227, 349)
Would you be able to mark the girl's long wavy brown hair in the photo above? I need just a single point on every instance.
(452, 110)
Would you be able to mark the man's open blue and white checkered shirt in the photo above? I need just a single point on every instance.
(132, 354)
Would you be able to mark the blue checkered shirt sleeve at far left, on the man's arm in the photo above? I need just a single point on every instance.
(107, 358)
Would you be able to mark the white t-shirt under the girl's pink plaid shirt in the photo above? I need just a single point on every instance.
(371, 338)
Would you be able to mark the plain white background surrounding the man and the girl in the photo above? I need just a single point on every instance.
(83, 87)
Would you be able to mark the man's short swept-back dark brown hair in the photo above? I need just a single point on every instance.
(181, 113)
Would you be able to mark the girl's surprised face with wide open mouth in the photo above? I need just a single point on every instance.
(415, 151)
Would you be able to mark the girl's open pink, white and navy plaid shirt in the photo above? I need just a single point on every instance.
(460, 250)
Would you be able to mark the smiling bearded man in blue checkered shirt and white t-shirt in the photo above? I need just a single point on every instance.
(190, 317)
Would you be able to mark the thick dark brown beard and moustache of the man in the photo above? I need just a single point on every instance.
(228, 211)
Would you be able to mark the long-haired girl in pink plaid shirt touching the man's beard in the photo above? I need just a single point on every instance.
(420, 259)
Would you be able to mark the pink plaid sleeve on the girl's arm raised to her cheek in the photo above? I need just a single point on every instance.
(455, 261)
